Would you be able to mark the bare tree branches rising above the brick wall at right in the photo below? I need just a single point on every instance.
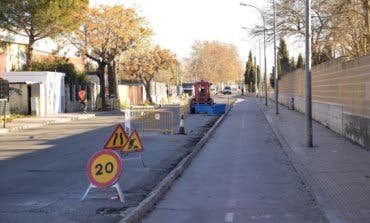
(340, 28)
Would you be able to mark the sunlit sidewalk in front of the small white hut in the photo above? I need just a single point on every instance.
(37, 121)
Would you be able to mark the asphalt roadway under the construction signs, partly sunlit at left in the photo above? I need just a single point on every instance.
(43, 170)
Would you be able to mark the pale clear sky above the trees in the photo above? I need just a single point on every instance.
(178, 23)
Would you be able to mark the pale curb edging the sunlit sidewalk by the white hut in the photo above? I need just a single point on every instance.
(47, 122)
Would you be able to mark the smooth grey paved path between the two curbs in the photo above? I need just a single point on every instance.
(241, 175)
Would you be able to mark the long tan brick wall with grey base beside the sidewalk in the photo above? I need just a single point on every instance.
(340, 96)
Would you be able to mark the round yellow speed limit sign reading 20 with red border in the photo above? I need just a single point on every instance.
(104, 168)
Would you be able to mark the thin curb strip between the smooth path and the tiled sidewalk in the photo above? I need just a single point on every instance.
(329, 212)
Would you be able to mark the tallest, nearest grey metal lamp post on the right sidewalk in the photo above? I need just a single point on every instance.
(308, 75)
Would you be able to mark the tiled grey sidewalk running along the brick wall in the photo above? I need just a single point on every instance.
(336, 170)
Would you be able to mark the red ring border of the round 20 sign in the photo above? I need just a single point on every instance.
(115, 178)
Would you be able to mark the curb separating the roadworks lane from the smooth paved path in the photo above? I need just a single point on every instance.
(134, 215)
